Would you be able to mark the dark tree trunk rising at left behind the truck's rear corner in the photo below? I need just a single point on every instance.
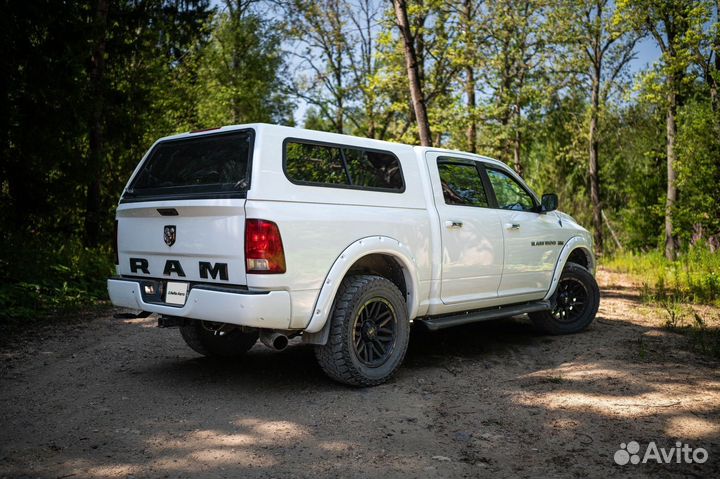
(96, 133)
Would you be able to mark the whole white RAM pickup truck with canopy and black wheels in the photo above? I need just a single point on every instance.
(263, 231)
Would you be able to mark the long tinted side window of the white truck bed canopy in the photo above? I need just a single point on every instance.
(342, 166)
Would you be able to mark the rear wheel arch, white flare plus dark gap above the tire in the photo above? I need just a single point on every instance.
(379, 255)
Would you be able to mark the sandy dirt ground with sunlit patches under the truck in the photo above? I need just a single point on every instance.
(112, 398)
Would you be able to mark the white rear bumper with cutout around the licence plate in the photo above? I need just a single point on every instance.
(269, 309)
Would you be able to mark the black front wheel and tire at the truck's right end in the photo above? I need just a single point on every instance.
(563, 319)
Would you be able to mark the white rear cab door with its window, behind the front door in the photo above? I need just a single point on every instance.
(471, 235)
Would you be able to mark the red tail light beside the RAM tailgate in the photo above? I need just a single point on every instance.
(264, 252)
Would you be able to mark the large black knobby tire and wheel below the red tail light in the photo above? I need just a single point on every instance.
(357, 298)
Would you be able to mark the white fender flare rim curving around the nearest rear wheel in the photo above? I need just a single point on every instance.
(363, 247)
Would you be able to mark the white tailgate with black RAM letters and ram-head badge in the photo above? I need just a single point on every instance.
(201, 241)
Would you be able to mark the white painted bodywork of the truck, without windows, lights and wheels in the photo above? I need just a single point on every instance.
(325, 230)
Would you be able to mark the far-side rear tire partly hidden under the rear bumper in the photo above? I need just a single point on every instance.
(210, 339)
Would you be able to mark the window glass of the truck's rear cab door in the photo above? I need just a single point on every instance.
(462, 184)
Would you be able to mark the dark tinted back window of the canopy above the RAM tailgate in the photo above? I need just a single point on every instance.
(205, 167)
